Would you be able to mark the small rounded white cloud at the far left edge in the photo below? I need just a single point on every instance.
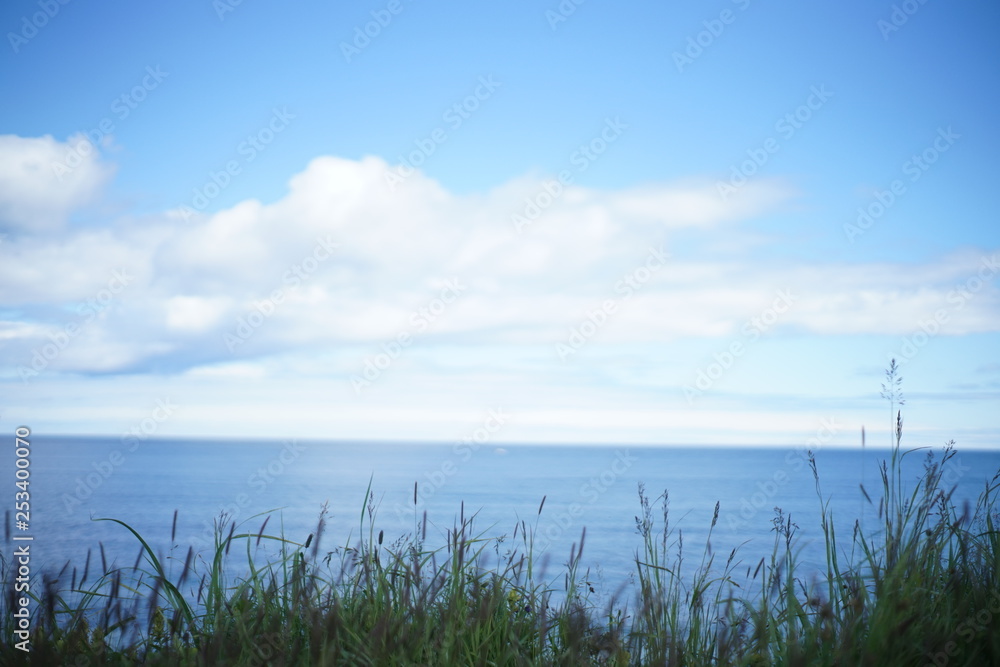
(43, 180)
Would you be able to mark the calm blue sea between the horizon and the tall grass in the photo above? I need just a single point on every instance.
(143, 482)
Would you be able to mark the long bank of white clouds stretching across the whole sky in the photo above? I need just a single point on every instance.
(341, 260)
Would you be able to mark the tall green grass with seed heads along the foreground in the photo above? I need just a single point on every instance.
(918, 588)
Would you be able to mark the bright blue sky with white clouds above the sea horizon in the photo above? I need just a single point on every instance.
(687, 223)
